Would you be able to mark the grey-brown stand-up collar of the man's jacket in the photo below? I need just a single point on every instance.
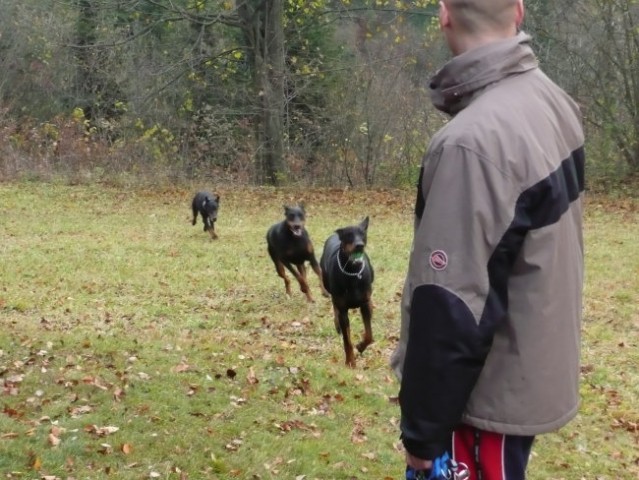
(455, 85)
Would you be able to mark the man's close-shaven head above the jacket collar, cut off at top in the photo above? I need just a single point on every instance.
(468, 24)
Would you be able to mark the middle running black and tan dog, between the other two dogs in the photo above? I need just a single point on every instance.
(290, 246)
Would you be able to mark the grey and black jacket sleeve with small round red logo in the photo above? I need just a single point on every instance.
(467, 204)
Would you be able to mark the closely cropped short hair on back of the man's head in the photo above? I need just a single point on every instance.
(477, 16)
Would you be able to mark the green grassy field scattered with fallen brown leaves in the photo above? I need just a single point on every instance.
(133, 347)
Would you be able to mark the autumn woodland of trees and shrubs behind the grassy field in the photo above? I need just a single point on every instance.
(276, 92)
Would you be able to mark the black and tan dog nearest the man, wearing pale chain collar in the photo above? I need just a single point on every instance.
(348, 276)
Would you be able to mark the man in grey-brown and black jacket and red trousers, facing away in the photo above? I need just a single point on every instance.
(488, 355)
